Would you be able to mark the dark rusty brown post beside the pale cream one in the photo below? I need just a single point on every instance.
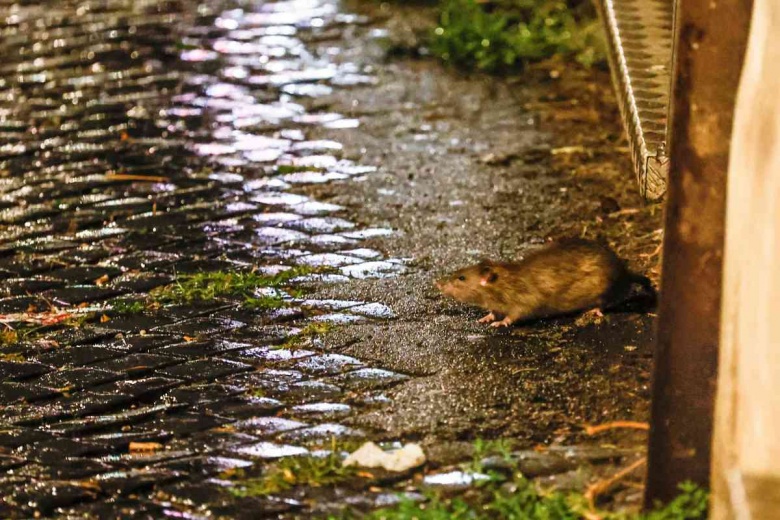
(710, 43)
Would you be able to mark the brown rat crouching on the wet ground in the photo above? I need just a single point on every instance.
(564, 277)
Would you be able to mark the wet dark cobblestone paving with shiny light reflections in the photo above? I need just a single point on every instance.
(142, 141)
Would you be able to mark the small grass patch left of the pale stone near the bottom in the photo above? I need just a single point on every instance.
(295, 471)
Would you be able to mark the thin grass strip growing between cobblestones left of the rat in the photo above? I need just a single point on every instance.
(200, 287)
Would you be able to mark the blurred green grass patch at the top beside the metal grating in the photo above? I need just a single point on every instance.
(507, 35)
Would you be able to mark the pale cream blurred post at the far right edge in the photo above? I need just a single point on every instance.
(746, 447)
